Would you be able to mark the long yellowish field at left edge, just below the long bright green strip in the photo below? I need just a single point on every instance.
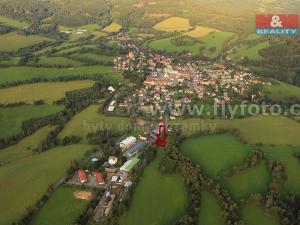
(47, 91)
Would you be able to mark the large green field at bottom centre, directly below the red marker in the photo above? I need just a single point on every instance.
(157, 199)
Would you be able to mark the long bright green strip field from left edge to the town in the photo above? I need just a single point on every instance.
(13, 74)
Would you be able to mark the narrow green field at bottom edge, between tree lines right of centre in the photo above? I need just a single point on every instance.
(210, 210)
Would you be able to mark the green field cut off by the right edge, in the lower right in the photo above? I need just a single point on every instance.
(285, 155)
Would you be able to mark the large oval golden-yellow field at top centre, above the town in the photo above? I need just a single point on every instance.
(173, 24)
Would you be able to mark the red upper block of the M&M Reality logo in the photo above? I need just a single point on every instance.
(288, 21)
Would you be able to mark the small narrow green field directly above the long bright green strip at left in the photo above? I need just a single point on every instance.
(57, 61)
